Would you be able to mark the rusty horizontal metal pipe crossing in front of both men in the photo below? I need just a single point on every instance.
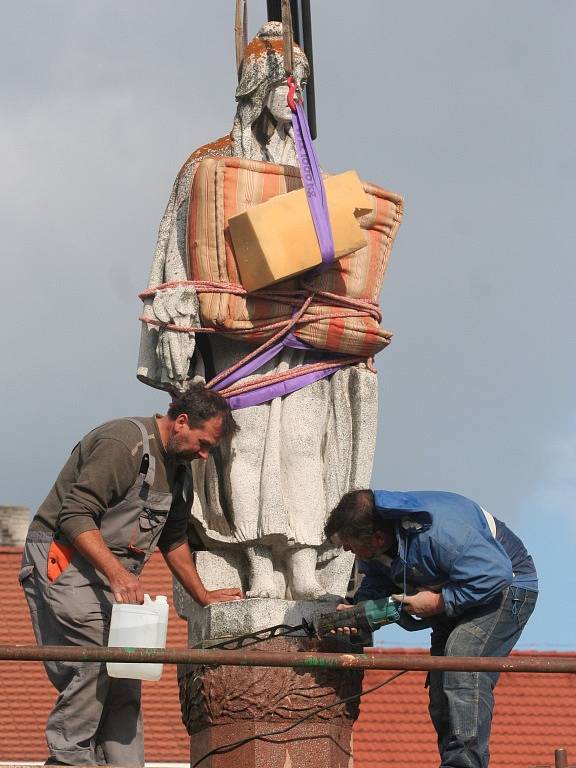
(258, 658)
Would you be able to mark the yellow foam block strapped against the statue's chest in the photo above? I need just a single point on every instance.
(277, 240)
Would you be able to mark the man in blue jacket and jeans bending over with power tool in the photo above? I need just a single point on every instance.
(447, 560)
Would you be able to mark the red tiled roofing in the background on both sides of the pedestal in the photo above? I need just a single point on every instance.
(534, 713)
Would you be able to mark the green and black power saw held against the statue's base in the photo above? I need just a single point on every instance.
(365, 617)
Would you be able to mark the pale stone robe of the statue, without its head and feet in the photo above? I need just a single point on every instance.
(294, 457)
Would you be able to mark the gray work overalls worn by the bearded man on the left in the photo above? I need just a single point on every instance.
(96, 718)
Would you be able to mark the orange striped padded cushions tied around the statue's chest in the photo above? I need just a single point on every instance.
(343, 315)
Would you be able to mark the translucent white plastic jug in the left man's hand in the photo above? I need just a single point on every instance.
(138, 626)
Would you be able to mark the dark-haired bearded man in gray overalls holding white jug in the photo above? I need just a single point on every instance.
(125, 490)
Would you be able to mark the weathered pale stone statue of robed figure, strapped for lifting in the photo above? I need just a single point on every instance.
(268, 493)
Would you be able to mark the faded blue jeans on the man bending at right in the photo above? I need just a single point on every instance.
(461, 703)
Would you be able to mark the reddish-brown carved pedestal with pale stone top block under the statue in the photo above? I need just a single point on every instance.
(262, 706)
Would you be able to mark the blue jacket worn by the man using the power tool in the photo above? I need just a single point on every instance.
(444, 544)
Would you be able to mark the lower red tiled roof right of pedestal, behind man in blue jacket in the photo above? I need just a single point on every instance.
(534, 715)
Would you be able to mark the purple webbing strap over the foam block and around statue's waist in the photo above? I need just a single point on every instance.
(316, 196)
